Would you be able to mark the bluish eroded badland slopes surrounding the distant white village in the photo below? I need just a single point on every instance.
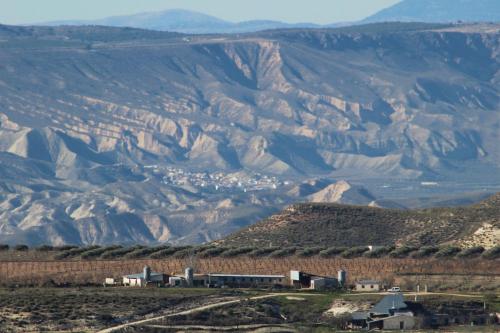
(121, 135)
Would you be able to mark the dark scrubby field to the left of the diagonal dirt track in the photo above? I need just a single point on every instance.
(92, 309)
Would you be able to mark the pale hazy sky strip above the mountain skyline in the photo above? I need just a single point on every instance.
(317, 11)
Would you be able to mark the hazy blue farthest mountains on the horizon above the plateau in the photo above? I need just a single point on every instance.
(190, 22)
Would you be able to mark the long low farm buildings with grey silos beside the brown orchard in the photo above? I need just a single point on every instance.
(217, 280)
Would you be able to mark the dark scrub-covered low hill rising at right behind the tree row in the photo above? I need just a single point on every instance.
(341, 225)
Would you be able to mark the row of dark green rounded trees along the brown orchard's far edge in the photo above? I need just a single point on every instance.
(211, 251)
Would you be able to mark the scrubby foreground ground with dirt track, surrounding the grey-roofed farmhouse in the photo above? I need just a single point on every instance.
(107, 310)
